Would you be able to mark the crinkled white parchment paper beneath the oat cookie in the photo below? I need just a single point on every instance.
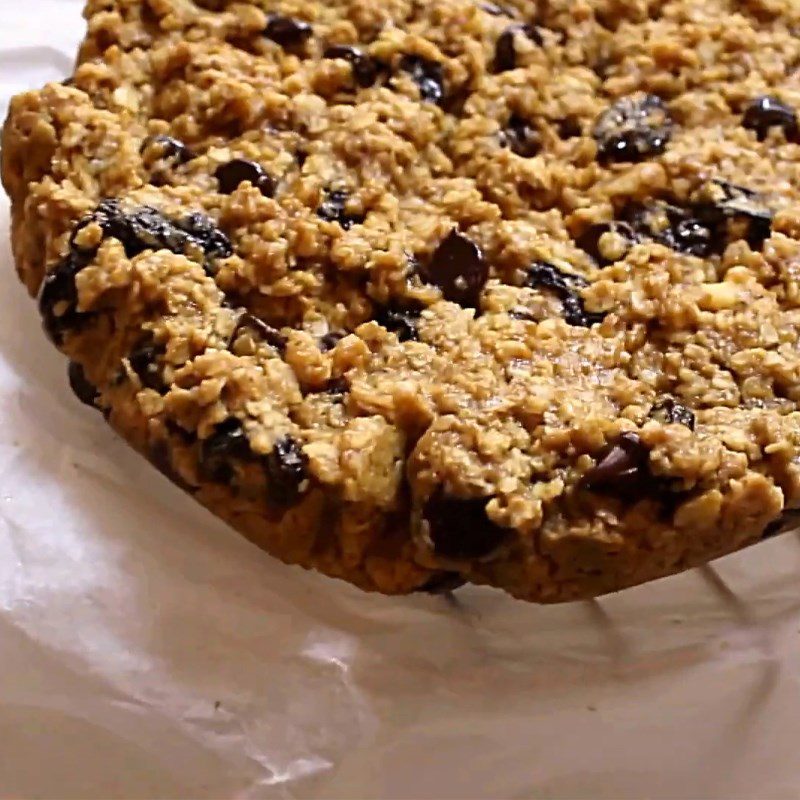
(148, 651)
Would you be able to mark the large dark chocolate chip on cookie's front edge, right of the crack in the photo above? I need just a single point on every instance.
(460, 529)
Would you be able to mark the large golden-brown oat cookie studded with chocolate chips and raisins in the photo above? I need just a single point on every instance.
(417, 292)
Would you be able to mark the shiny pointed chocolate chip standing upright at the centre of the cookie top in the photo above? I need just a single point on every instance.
(459, 269)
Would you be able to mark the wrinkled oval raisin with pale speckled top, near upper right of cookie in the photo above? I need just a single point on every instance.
(633, 129)
